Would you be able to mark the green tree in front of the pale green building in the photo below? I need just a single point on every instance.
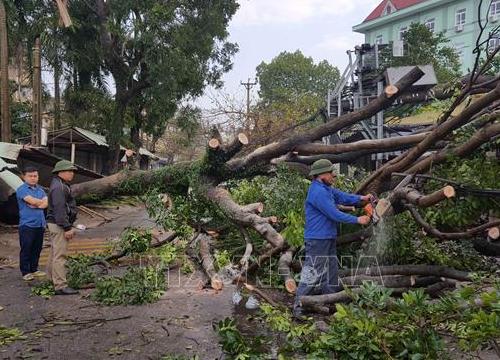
(423, 47)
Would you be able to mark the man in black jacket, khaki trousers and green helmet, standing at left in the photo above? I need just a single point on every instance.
(60, 218)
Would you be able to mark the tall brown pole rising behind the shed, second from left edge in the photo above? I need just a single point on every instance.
(36, 125)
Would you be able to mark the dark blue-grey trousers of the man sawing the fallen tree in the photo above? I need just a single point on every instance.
(319, 270)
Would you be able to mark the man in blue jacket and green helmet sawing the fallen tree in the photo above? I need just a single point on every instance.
(320, 268)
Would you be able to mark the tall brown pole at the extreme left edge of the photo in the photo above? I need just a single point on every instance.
(4, 77)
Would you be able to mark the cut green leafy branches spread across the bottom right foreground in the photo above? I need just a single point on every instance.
(376, 326)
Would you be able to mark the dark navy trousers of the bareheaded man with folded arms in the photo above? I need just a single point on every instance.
(31, 241)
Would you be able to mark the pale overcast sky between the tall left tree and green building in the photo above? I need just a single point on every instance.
(321, 29)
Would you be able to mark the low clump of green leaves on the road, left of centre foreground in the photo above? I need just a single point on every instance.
(139, 285)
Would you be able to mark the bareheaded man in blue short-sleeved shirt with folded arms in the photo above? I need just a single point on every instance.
(31, 200)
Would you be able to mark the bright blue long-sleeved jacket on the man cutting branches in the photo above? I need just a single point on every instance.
(322, 214)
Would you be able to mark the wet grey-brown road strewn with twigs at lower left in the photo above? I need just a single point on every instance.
(73, 327)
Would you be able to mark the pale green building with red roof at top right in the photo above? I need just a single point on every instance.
(457, 19)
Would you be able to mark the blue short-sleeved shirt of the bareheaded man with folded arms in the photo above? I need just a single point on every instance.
(28, 216)
